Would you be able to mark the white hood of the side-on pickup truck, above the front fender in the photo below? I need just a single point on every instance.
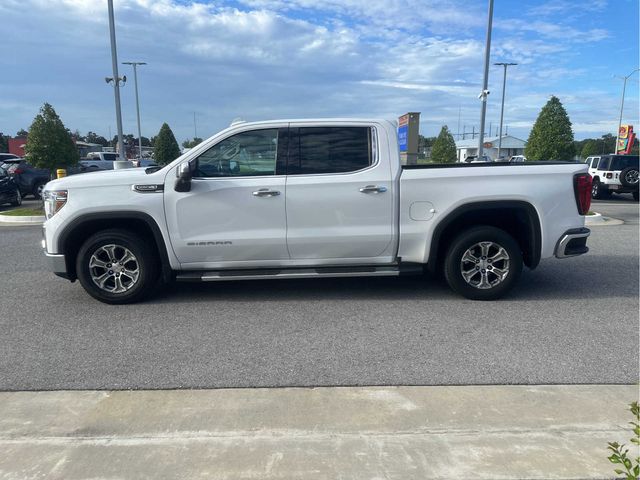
(125, 176)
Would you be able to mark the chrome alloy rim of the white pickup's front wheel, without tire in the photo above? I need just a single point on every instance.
(114, 268)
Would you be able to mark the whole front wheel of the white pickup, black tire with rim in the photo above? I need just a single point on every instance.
(144, 261)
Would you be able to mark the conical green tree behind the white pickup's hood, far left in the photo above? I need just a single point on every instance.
(49, 144)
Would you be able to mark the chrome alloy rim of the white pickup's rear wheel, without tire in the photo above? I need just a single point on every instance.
(484, 265)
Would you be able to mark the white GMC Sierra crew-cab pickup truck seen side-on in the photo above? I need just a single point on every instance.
(311, 198)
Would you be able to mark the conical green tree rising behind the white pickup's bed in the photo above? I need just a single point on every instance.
(551, 137)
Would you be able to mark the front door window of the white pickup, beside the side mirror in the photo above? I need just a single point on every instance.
(245, 154)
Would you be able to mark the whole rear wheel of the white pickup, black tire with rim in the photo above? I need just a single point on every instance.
(482, 282)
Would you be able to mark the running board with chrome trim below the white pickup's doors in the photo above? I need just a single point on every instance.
(285, 273)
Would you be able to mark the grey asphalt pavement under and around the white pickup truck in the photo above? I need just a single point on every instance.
(570, 321)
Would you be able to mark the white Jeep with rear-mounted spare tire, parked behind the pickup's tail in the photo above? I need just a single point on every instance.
(613, 174)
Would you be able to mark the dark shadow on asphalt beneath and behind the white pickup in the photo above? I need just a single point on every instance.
(599, 276)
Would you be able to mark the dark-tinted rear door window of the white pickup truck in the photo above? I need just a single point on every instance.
(331, 150)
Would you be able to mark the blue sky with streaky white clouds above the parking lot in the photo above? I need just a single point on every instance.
(262, 59)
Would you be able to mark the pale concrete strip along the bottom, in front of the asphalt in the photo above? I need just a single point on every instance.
(477, 432)
